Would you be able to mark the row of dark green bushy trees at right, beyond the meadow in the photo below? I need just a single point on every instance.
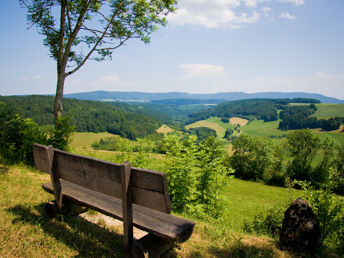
(300, 156)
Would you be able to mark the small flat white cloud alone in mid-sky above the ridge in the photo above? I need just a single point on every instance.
(202, 70)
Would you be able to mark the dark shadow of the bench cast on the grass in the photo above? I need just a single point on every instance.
(83, 236)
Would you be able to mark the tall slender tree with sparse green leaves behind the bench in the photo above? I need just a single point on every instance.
(78, 30)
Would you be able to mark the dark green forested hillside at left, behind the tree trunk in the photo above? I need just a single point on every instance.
(87, 116)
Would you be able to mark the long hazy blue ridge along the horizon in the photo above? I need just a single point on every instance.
(214, 98)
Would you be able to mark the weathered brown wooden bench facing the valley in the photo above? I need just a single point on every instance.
(138, 197)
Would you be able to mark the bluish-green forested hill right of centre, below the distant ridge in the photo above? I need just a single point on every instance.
(261, 109)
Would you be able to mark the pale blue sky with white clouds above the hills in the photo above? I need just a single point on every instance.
(208, 46)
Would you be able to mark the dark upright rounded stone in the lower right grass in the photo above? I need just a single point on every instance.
(300, 230)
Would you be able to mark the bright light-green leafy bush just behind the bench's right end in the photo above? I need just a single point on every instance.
(195, 174)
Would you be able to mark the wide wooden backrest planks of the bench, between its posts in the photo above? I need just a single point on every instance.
(149, 188)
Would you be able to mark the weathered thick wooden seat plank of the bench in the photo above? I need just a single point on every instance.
(160, 224)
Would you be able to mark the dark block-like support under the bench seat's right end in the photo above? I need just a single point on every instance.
(150, 246)
